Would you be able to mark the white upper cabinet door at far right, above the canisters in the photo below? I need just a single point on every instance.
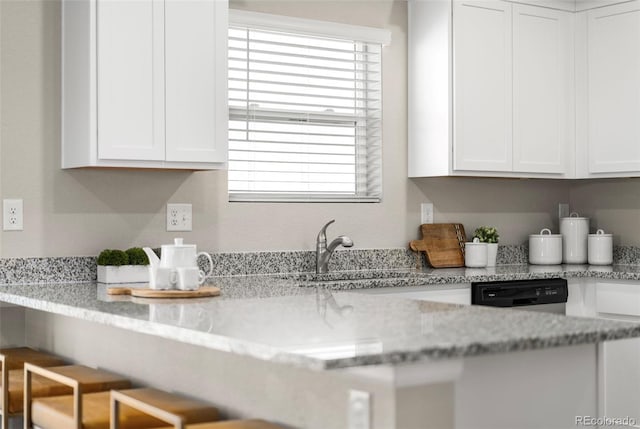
(613, 89)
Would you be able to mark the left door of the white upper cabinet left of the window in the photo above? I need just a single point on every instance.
(130, 79)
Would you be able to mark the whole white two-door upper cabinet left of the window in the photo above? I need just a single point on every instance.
(144, 84)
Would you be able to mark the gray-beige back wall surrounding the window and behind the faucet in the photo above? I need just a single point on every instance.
(80, 212)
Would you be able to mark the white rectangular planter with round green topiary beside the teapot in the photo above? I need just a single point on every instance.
(117, 266)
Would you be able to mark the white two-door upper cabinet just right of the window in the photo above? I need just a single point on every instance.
(507, 70)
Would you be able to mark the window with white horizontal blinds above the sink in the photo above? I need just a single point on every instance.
(305, 110)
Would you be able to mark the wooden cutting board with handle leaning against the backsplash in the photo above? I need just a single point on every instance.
(443, 244)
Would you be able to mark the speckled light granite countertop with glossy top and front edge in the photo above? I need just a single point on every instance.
(273, 318)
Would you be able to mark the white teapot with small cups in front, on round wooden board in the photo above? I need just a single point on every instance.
(178, 266)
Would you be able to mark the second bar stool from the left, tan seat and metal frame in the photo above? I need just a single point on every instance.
(46, 412)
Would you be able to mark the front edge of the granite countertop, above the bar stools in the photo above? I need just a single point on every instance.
(605, 330)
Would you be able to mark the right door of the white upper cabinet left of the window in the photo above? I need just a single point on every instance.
(196, 80)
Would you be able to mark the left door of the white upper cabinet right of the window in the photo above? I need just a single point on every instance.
(482, 70)
